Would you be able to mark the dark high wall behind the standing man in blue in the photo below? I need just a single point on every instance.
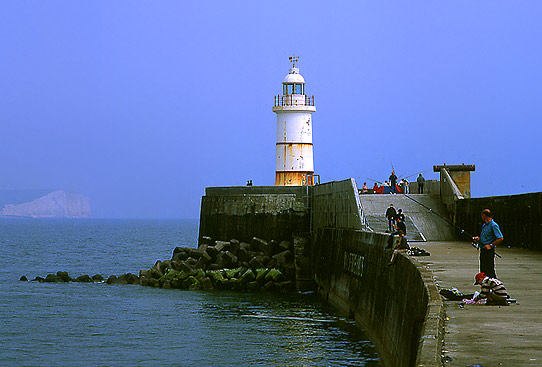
(519, 216)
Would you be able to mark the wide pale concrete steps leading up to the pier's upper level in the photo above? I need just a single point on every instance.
(421, 224)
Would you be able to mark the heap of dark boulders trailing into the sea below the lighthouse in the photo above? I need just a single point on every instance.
(242, 266)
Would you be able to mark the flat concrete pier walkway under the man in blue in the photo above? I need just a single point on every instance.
(490, 335)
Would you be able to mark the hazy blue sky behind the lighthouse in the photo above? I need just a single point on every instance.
(142, 104)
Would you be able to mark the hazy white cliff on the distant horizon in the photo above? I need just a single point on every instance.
(56, 204)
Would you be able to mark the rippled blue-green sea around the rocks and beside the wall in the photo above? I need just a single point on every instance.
(77, 324)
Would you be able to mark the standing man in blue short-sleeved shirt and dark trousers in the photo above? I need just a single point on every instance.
(490, 237)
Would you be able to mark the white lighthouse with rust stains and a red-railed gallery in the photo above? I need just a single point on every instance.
(295, 166)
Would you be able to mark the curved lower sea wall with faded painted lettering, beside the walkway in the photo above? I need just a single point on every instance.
(398, 305)
